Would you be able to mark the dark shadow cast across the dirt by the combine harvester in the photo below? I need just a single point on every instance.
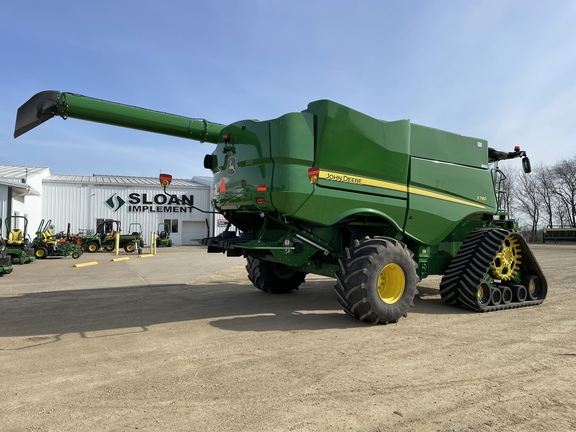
(229, 306)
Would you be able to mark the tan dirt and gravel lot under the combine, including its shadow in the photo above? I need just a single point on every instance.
(183, 342)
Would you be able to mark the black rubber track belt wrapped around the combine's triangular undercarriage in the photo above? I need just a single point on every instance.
(467, 270)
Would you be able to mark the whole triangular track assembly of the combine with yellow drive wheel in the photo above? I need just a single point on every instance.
(493, 270)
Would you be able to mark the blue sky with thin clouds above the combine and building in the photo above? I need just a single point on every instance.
(502, 70)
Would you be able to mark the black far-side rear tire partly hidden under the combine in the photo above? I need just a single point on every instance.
(273, 278)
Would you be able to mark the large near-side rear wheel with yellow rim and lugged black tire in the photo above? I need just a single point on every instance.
(377, 279)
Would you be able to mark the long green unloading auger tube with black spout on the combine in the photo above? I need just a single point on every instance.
(47, 104)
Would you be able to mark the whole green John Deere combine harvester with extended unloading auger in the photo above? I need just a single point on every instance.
(377, 205)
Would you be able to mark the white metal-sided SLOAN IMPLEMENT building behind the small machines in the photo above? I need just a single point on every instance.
(139, 203)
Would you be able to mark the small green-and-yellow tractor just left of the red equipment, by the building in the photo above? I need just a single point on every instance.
(47, 244)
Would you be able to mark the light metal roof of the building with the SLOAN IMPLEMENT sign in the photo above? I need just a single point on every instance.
(118, 180)
